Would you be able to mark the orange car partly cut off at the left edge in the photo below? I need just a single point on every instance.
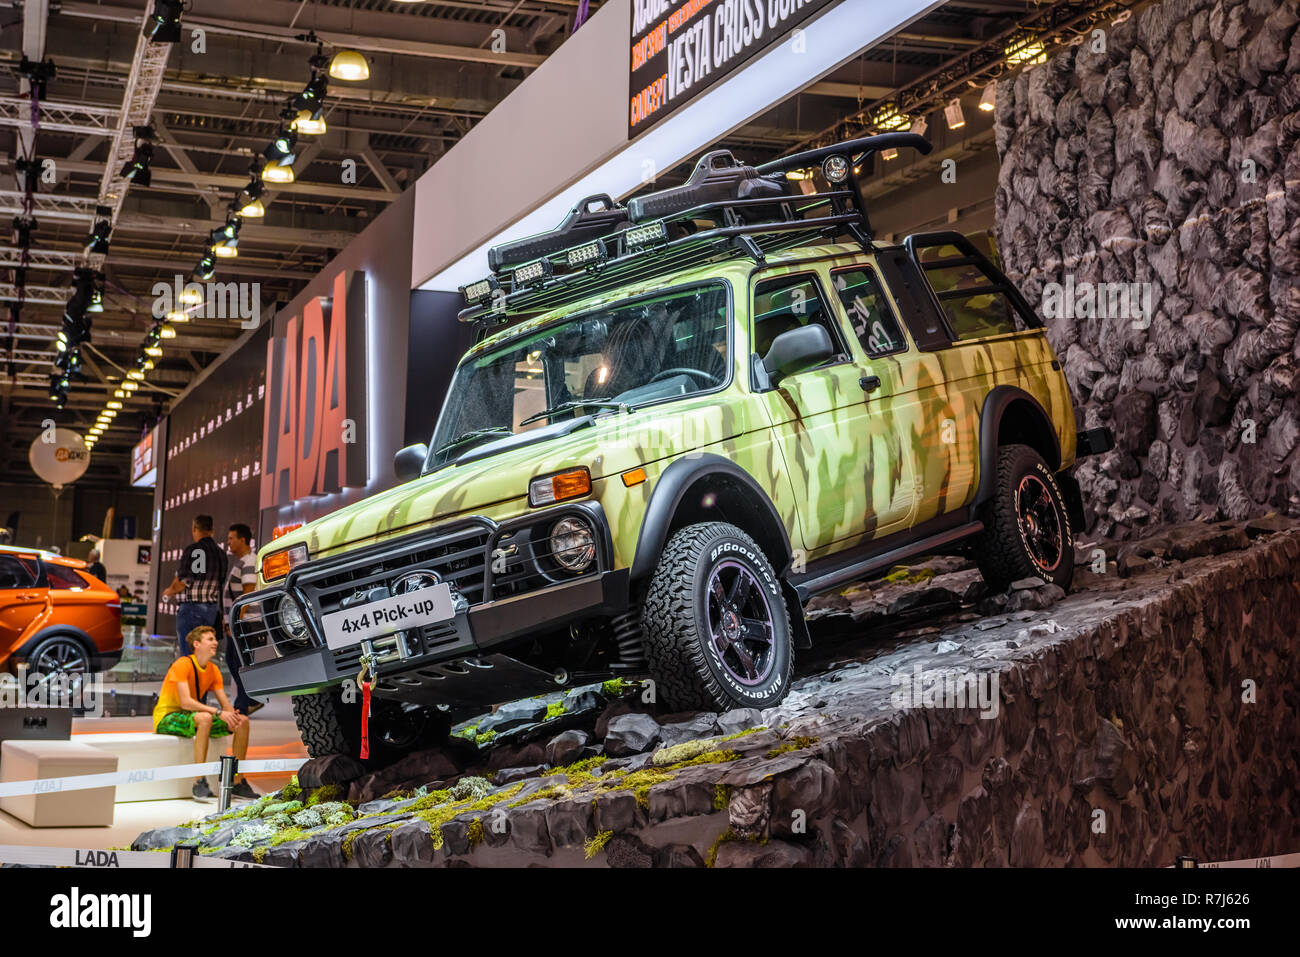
(55, 616)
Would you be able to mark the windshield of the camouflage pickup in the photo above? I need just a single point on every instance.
(621, 357)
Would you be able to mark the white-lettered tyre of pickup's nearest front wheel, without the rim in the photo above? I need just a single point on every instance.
(683, 660)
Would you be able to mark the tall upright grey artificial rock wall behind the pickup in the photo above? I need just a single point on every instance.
(1171, 159)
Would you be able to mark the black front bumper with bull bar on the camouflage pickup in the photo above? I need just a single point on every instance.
(509, 599)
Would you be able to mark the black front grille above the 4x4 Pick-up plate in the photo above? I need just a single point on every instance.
(458, 557)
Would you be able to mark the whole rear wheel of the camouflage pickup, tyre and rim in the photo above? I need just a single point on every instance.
(1026, 525)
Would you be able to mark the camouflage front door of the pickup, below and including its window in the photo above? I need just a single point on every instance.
(850, 470)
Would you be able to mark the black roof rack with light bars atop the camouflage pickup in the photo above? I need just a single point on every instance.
(723, 211)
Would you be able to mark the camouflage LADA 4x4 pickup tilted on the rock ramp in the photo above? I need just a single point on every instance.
(684, 418)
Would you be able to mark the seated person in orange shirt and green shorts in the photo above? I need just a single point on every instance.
(181, 709)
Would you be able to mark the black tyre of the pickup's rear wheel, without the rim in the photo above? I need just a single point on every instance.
(1003, 549)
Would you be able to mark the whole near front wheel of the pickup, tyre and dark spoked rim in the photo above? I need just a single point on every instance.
(717, 629)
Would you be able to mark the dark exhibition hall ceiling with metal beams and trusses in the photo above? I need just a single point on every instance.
(216, 101)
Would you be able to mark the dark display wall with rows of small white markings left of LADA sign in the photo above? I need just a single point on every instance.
(213, 464)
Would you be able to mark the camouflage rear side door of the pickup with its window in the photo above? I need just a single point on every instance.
(911, 395)
